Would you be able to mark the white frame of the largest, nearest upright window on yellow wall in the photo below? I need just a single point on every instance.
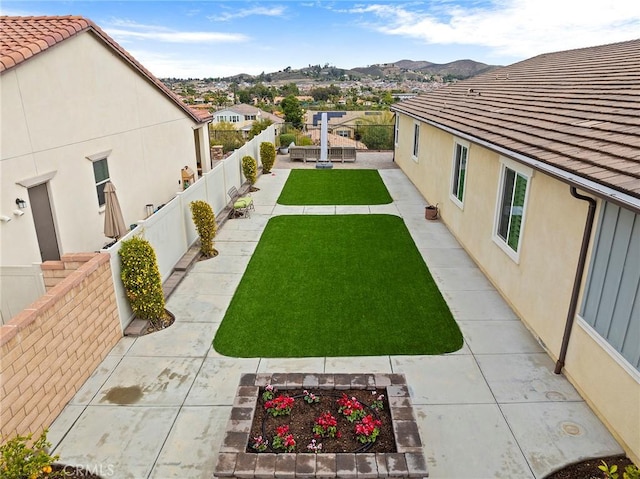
(527, 173)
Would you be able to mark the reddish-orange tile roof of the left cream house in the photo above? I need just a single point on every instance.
(24, 37)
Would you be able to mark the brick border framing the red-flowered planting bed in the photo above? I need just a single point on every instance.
(408, 461)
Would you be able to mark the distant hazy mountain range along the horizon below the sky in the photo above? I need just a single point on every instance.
(400, 70)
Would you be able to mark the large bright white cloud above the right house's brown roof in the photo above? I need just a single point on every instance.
(519, 28)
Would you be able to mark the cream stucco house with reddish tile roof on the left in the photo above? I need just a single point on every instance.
(78, 111)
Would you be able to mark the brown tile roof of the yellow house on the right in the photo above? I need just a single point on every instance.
(577, 111)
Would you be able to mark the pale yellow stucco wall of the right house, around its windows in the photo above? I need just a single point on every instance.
(538, 286)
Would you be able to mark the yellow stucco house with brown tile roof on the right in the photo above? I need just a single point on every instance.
(536, 171)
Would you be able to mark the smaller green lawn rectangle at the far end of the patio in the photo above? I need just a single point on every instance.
(334, 187)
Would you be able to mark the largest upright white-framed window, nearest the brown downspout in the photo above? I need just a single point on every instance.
(512, 199)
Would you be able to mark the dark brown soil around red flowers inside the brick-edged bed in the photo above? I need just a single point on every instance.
(303, 416)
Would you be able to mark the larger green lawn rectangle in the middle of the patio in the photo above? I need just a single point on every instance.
(342, 285)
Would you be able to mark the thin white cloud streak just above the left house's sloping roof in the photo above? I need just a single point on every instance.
(124, 30)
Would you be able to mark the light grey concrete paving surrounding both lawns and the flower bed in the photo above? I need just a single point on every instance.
(156, 407)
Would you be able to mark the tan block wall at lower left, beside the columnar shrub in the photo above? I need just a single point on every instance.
(50, 349)
